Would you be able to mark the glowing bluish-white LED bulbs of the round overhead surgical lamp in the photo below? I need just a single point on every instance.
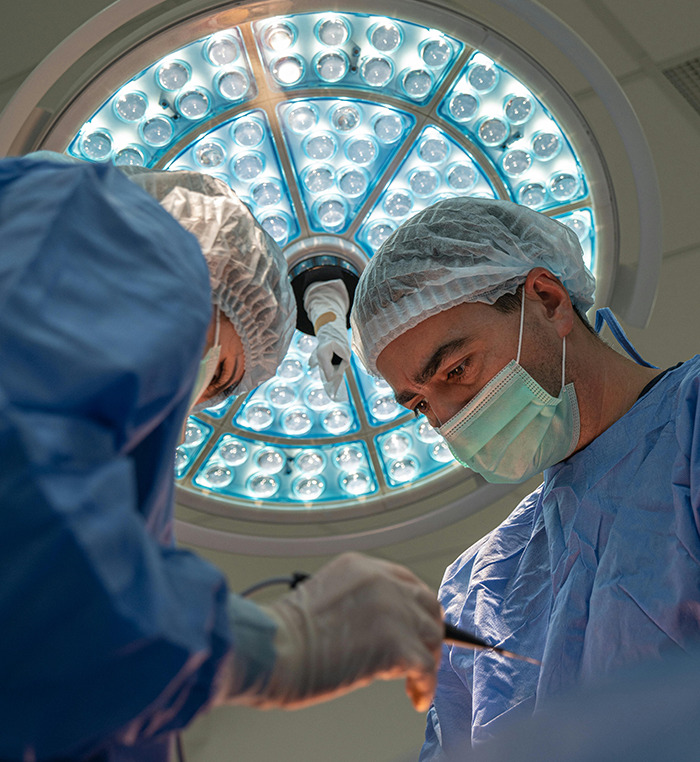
(360, 167)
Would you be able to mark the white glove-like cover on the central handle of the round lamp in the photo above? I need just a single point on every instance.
(327, 303)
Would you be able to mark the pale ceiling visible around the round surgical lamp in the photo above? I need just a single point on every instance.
(636, 39)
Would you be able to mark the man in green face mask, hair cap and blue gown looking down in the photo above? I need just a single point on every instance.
(473, 311)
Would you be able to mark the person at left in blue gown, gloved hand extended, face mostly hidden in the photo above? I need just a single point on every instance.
(114, 319)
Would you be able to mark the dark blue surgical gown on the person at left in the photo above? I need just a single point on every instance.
(111, 637)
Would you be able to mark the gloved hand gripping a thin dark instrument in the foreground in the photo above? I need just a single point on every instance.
(355, 620)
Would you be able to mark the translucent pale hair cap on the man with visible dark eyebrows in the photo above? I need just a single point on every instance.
(455, 251)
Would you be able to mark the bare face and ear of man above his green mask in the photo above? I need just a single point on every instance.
(436, 367)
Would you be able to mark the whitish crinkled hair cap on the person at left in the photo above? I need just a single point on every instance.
(247, 270)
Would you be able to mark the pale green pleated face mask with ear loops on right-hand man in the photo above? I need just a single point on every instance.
(513, 428)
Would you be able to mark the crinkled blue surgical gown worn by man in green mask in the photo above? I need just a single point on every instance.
(597, 569)
